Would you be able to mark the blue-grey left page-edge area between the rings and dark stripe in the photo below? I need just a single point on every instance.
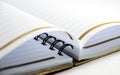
(30, 51)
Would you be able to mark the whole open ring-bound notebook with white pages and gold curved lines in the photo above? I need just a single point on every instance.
(27, 41)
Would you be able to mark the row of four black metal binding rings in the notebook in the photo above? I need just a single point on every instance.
(53, 43)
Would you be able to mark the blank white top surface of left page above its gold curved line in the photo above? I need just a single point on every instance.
(14, 22)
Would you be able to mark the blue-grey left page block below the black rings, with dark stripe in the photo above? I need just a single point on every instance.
(31, 57)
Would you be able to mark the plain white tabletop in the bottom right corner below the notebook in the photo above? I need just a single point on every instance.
(108, 65)
